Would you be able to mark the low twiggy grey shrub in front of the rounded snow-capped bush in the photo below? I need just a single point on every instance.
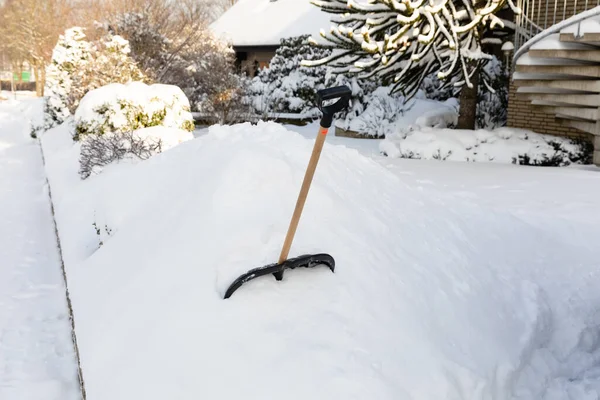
(97, 151)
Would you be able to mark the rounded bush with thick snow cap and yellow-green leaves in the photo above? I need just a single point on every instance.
(126, 107)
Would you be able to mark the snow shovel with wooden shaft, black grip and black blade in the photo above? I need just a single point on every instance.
(325, 96)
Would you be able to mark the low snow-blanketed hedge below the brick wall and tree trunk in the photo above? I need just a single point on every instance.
(504, 145)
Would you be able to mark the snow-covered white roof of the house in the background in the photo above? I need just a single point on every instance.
(265, 22)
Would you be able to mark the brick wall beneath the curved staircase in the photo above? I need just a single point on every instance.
(521, 114)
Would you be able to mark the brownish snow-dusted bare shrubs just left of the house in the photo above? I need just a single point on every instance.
(199, 63)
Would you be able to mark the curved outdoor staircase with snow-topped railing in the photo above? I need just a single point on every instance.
(557, 69)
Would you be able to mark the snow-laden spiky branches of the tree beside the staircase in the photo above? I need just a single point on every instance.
(403, 41)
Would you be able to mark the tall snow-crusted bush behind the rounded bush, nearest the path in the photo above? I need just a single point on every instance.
(78, 66)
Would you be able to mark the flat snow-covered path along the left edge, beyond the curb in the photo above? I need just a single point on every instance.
(37, 359)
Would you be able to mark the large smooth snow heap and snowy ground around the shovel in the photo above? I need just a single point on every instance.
(451, 282)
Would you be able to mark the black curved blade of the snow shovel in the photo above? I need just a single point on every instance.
(305, 261)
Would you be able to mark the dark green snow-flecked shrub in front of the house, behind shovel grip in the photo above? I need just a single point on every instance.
(286, 86)
